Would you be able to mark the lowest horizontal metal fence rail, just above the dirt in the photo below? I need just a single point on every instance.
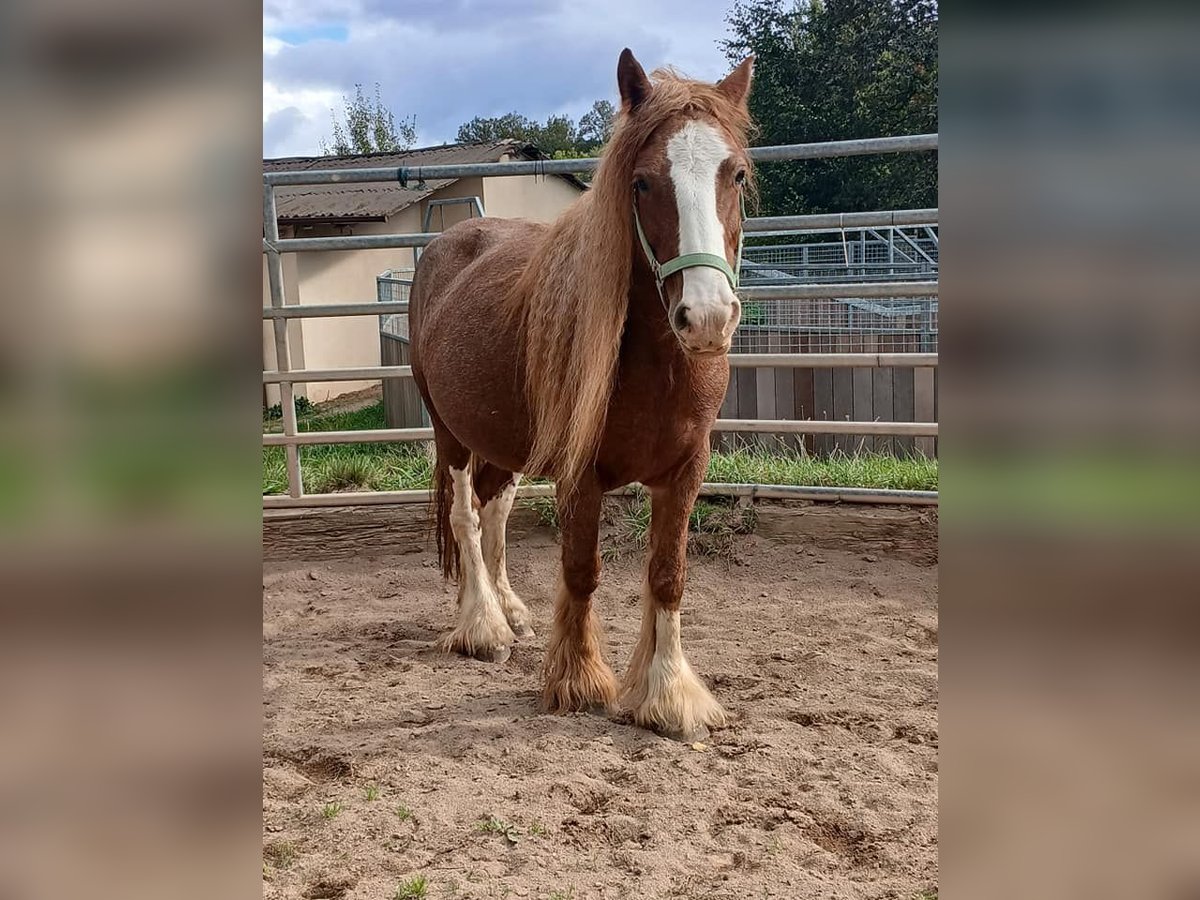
(716, 489)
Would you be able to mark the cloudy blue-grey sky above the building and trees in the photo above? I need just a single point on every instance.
(447, 62)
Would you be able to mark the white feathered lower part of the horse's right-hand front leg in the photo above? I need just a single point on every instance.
(663, 692)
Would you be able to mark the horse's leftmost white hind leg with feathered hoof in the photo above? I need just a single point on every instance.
(482, 629)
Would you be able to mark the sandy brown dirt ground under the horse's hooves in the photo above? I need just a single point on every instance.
(386, 761)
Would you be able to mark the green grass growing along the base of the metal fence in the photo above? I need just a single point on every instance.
(410, 467)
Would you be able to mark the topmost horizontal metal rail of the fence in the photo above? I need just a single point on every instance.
(905, 145)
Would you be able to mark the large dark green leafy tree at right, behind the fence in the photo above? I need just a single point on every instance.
(837, 70)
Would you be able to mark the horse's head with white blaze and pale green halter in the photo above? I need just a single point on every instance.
(688, 181)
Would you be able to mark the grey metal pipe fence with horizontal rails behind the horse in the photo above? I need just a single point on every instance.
(879, 299)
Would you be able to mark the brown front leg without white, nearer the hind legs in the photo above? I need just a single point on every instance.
(575, 675)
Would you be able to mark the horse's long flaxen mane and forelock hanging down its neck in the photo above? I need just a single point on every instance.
(574, 296)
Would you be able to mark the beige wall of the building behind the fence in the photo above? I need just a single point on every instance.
(350, 277)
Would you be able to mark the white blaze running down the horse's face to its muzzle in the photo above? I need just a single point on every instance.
(697, 153)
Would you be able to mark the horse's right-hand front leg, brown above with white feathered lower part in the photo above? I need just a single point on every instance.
(661, 691)
